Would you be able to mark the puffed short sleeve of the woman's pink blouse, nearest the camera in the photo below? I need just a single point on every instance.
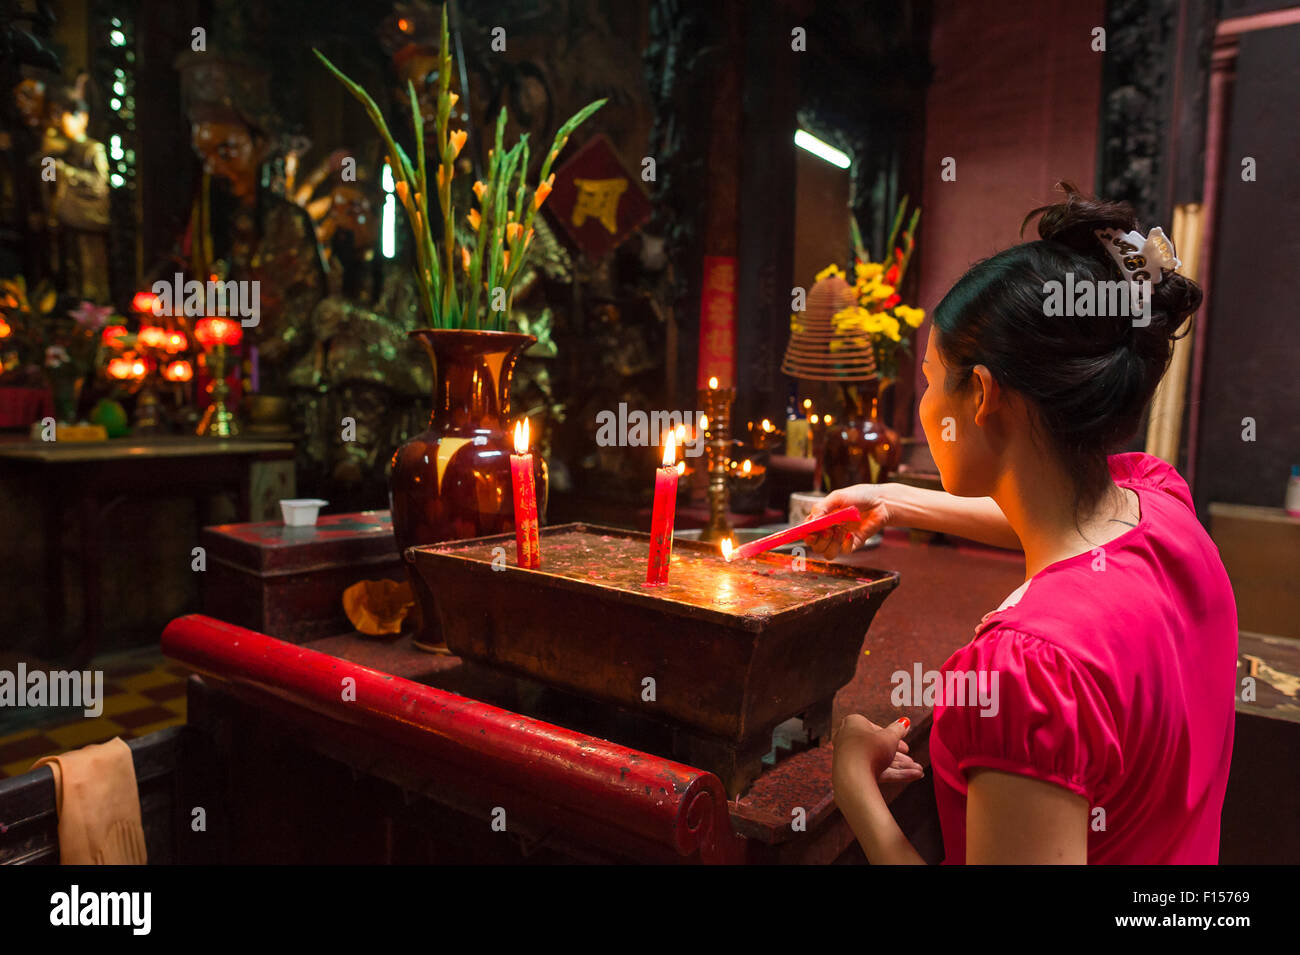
(1045, 714)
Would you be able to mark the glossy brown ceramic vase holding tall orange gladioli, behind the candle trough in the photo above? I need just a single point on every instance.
(453, 481)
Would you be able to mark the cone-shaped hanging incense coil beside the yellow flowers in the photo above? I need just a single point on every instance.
(817, 350)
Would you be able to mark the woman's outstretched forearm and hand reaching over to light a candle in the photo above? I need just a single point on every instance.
(892, 505)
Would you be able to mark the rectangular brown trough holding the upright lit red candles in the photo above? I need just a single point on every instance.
(700, 670)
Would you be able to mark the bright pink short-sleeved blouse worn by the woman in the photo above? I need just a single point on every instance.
(1116, 679)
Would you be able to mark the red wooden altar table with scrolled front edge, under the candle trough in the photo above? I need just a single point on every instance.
(562, 806)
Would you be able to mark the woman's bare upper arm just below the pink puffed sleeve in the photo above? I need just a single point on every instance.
(1019, 821)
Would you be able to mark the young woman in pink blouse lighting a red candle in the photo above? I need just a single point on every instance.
(1117, 657)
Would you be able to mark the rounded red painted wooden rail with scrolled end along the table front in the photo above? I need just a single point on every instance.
(632, 795)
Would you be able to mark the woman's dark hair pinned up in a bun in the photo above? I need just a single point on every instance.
(1087, 377)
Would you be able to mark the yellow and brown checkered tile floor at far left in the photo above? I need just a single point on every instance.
(144, 693)
